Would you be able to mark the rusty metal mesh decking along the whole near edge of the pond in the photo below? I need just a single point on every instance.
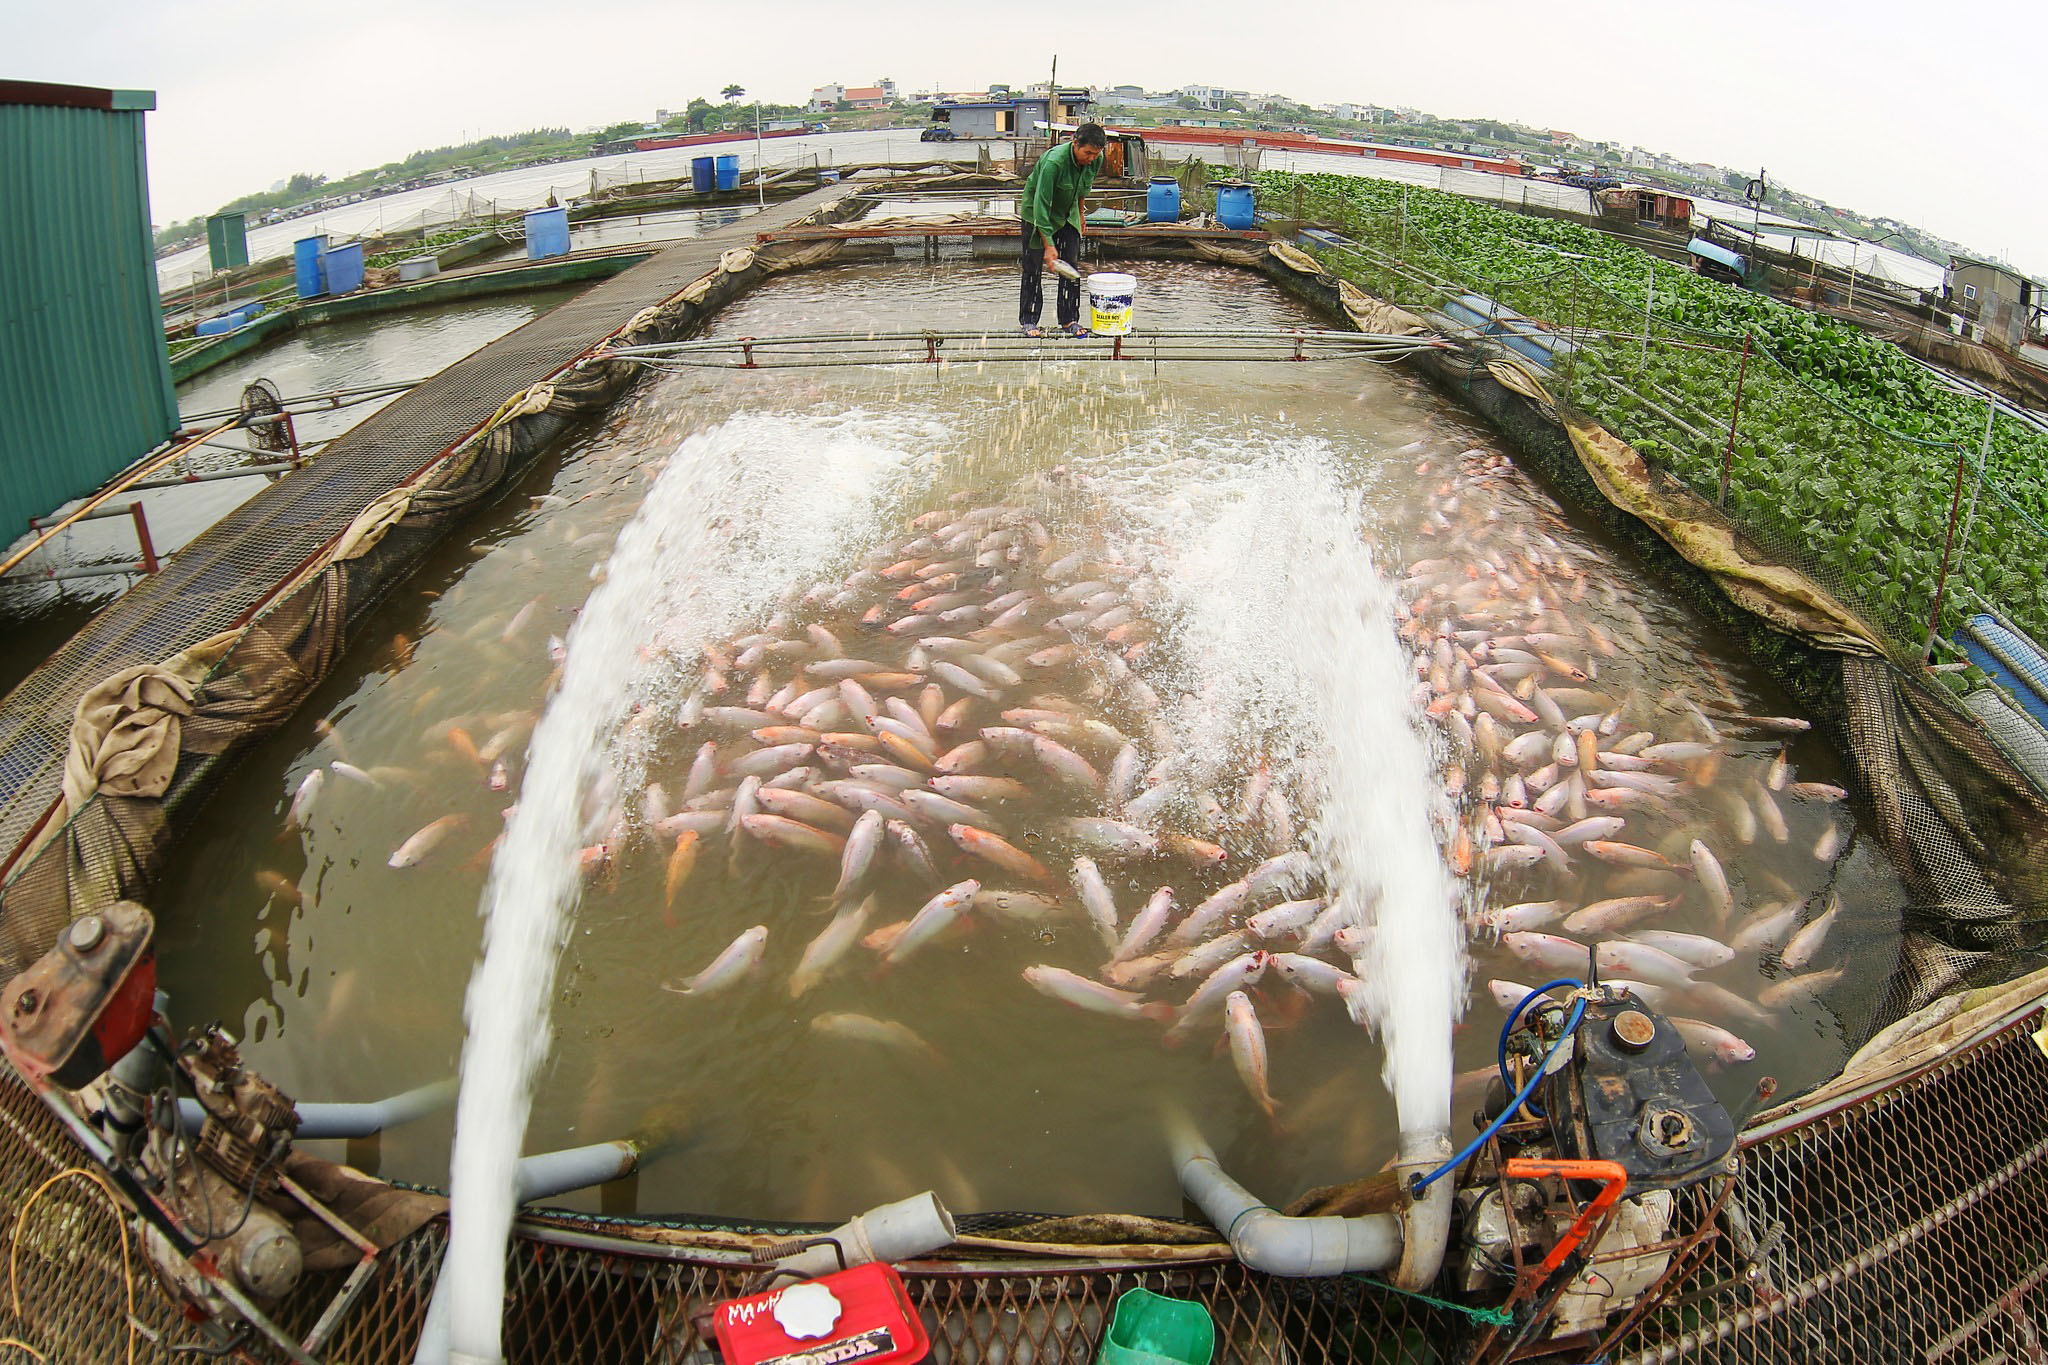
(1908, 1225)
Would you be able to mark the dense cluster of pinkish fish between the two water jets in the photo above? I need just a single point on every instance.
(900, 736)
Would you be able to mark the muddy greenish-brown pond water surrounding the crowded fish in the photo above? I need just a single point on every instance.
(1213, 496)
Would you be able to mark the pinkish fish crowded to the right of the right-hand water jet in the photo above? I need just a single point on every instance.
(1605, 822)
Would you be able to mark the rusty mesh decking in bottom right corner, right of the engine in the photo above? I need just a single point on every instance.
(1912, 1227)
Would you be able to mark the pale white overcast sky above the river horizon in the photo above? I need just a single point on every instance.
(1928, 114)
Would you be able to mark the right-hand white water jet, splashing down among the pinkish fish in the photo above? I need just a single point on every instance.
(1287, 633)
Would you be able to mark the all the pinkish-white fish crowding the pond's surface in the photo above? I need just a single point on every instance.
(966, 732)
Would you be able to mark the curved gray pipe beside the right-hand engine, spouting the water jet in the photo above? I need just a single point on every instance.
(1273, 1243)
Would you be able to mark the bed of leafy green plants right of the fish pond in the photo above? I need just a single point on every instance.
(1848, 457)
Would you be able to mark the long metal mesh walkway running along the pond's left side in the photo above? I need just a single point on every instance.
(222, 576)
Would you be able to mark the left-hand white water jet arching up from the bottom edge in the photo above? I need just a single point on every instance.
(740, 517)
